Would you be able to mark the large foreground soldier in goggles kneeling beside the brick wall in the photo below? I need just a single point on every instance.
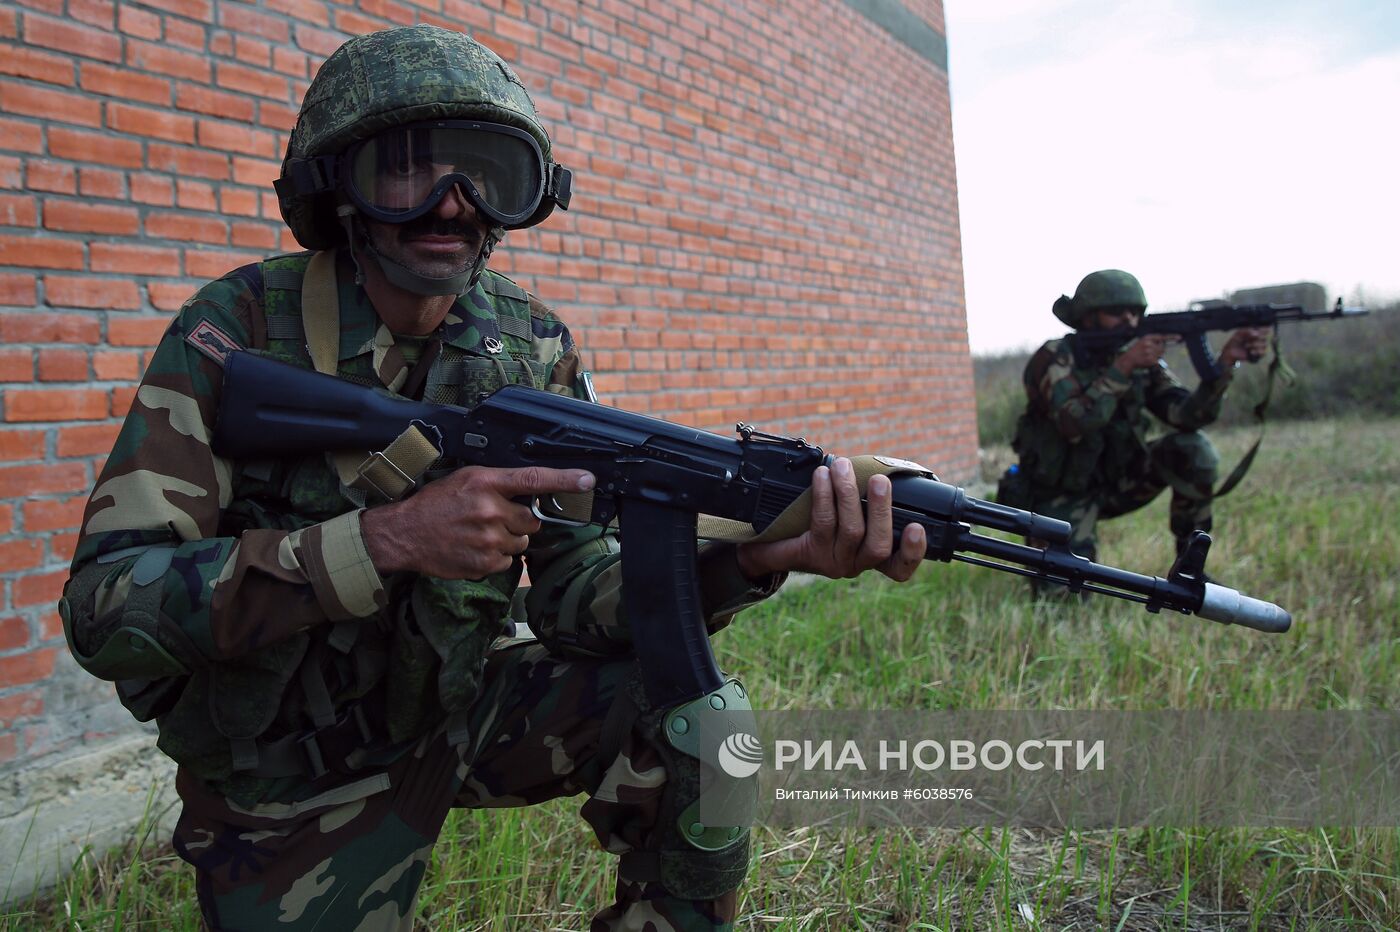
(323, 656)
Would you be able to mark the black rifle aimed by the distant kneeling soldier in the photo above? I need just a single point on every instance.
(1091, 346)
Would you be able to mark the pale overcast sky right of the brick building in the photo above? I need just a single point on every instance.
(1202, 145)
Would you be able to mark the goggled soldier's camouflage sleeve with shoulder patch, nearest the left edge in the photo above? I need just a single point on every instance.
(155, 559)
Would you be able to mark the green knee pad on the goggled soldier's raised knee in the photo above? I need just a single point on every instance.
(703, 845)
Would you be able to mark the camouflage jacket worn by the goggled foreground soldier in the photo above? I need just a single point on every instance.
(236, 604)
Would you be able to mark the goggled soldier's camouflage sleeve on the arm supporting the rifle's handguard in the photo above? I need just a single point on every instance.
(575, 602)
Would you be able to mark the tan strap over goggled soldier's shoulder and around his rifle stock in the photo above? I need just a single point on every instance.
(395, 469)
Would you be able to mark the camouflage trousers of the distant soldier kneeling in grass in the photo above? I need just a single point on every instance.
(1184, 461)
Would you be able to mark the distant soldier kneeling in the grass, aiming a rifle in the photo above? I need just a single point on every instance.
(1083, 442)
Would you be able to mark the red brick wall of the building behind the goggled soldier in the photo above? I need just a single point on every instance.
(765, 227)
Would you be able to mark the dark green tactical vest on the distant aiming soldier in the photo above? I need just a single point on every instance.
(1055, 465)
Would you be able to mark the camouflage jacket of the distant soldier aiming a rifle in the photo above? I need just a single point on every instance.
(1087, 426)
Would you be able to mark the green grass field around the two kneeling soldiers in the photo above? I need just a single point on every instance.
(1312, 528)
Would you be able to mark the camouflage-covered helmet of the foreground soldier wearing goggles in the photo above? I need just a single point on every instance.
(387, 79)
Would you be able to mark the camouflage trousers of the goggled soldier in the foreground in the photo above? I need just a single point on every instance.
(352, 856)
